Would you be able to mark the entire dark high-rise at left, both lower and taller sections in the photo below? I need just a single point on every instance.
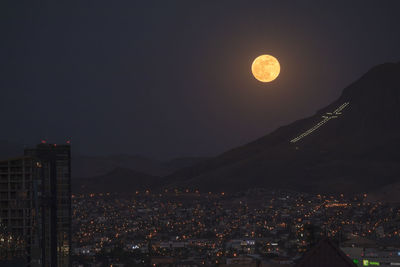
(35, 207)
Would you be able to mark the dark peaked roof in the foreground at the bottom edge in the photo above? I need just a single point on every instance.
(326, 254)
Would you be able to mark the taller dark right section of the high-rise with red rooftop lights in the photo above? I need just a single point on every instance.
(55, 190)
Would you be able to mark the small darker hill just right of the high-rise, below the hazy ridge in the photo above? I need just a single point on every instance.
(118, 180)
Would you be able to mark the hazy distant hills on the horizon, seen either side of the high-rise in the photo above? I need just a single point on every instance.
(115, 173)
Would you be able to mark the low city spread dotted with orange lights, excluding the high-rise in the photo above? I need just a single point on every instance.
(189, 228)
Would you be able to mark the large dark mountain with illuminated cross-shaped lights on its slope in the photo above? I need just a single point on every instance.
(351, 145)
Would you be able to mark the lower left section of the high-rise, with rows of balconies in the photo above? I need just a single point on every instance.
(17, 211)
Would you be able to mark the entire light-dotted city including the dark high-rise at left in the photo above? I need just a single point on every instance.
(257, 227)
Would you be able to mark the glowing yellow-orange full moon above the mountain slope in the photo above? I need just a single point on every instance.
(265, 68)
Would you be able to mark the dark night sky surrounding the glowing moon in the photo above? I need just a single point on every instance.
(172, 78)
